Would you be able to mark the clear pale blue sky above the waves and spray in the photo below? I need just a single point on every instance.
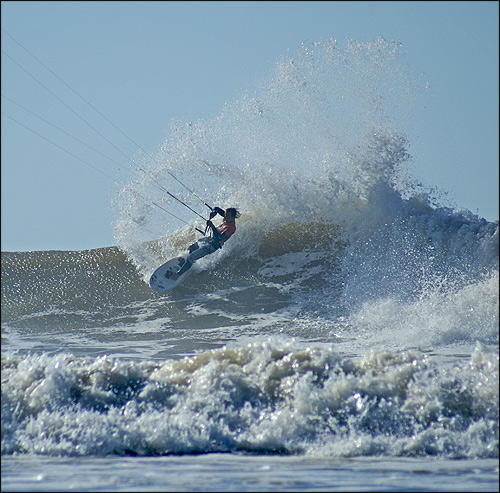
(145, 64)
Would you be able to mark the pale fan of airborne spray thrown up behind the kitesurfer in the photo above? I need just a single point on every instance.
(289, 151)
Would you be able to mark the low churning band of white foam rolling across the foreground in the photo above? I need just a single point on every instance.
(271, 396)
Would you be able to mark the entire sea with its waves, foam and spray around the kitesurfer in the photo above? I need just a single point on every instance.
(345, 338)
